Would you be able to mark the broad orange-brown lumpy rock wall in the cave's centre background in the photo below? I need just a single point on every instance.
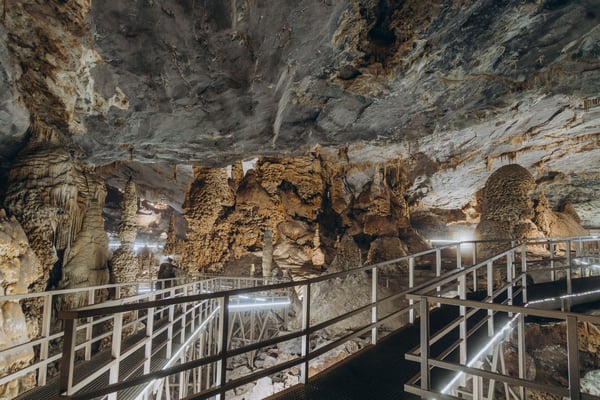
(349, 205)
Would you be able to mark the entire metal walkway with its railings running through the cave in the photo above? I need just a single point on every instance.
(181, 342)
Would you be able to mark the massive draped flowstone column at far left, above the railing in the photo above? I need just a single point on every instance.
(58, 200)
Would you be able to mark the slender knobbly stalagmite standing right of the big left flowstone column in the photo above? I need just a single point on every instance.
(125, 263)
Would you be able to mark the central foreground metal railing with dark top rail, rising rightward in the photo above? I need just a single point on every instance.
(373, 315)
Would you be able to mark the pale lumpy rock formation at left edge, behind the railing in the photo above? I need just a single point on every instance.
(19, 267)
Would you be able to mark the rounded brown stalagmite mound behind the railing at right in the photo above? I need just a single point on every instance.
(508, 210)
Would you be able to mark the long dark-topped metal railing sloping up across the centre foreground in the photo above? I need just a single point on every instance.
(371, 312)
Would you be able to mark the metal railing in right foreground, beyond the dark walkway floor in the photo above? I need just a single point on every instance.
(499, 301)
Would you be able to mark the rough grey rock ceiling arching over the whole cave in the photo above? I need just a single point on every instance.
(148, 88)
